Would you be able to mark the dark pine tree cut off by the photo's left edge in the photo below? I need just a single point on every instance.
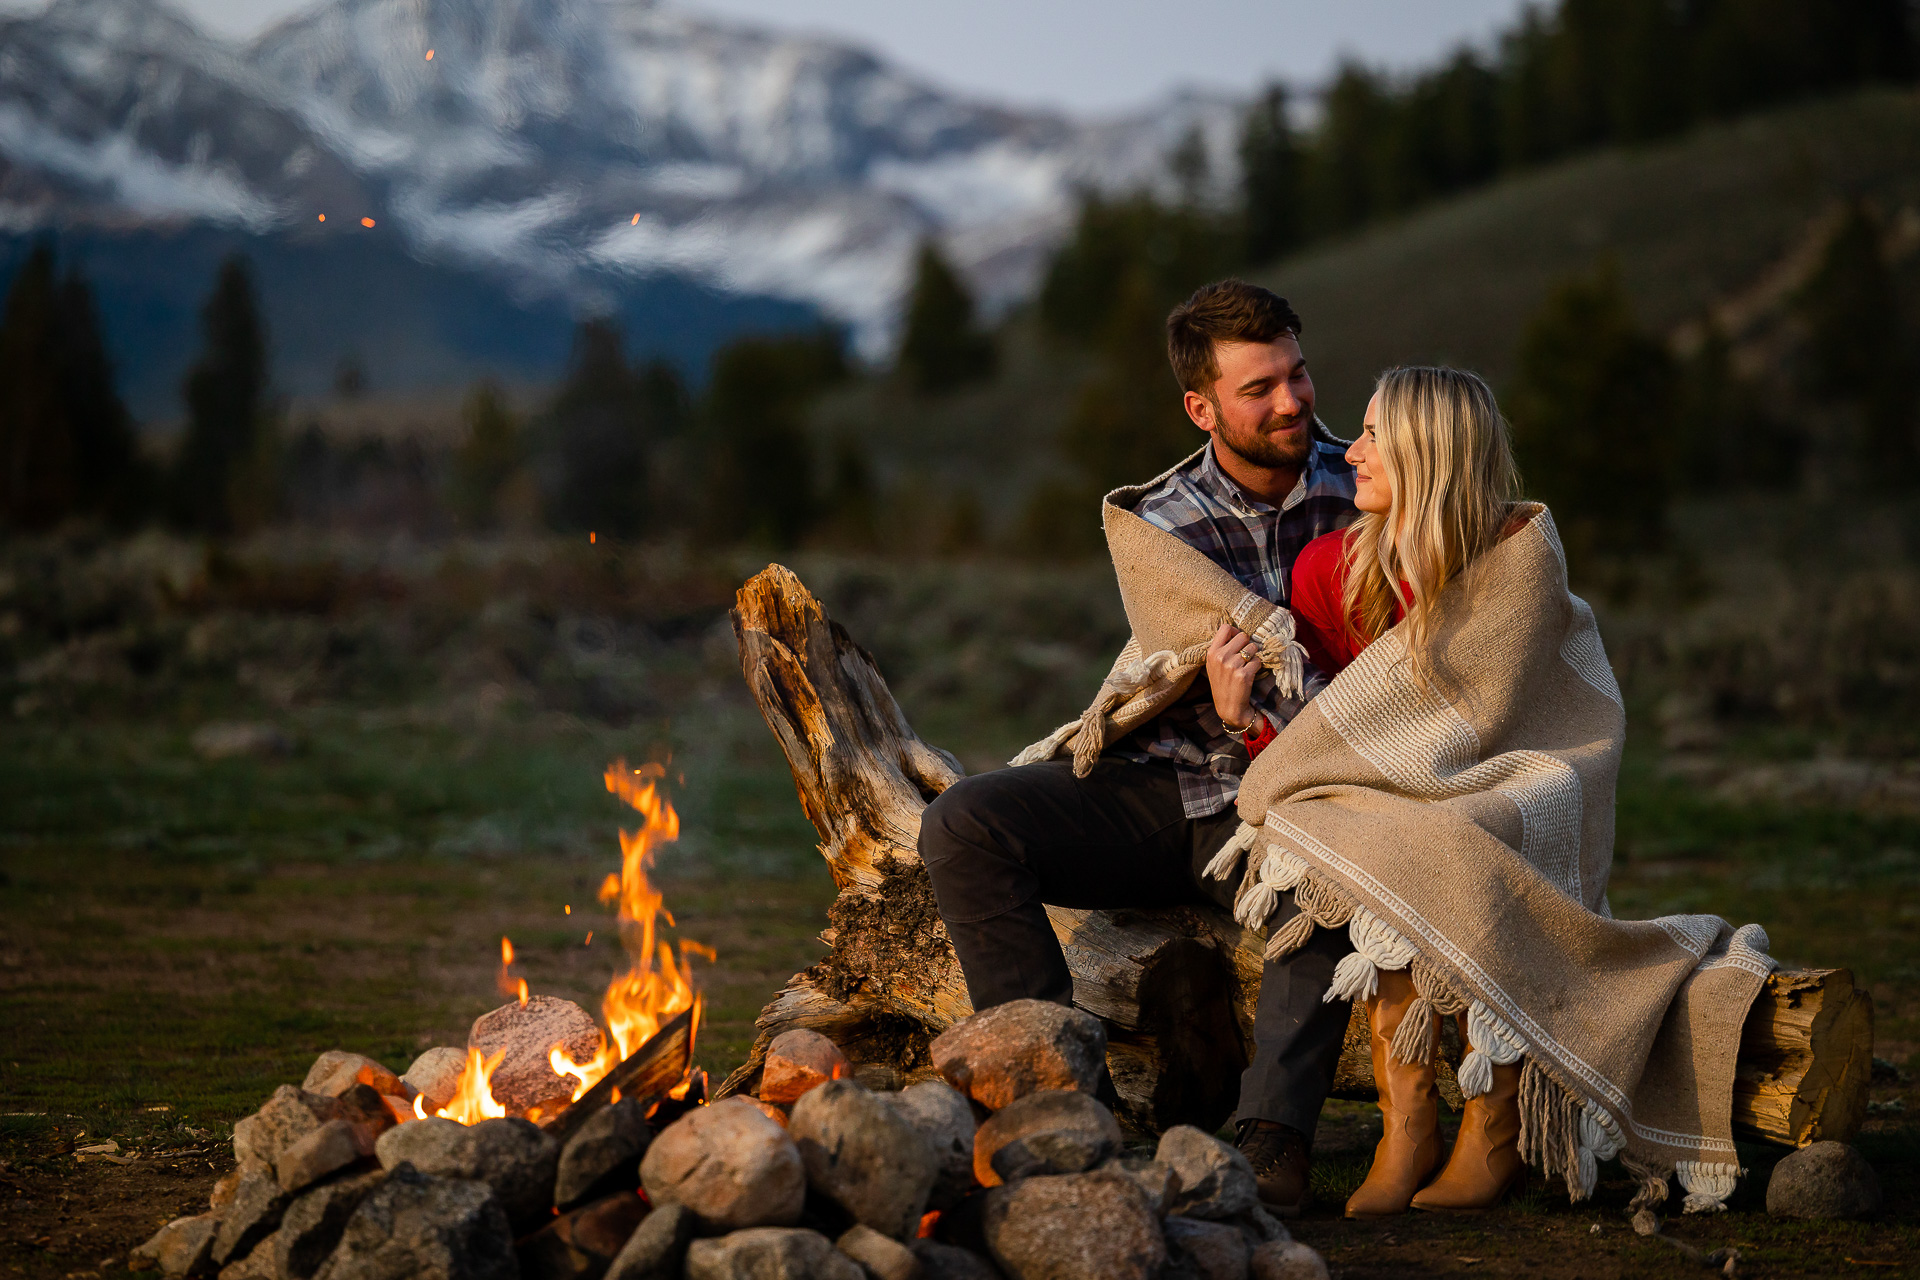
(37, 456)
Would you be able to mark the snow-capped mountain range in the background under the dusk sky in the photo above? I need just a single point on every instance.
(564, 145)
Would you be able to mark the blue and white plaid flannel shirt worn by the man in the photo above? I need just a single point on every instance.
(1257, 544)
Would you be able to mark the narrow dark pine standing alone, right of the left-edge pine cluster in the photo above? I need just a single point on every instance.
(222, 475)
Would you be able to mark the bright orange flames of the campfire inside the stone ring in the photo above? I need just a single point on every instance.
(658, 984)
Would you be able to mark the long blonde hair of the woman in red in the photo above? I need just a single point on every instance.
(1449, 463)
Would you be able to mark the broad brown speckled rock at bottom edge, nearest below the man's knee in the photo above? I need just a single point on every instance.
(1074, 1225)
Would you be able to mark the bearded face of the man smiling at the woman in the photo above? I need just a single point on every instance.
(1262, 404)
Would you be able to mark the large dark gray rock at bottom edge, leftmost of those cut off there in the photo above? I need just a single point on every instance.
(420, 1227)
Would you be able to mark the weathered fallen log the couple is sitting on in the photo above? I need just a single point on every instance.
(1176, 987)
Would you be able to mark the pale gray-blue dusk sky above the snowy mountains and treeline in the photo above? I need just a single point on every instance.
(1078, 55)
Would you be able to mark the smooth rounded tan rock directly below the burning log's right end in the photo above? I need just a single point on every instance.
(731, 1166)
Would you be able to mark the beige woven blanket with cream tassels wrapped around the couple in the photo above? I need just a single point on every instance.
(1458, 822)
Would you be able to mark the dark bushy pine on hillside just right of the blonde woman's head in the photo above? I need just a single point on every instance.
(1593, 408)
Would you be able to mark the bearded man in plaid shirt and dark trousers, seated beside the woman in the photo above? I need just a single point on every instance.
(1141, 826)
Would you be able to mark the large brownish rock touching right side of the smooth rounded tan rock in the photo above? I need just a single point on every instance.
(863, 1156)
